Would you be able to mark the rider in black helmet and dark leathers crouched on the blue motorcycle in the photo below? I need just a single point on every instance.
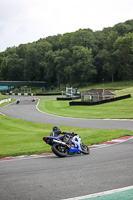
(66, 135)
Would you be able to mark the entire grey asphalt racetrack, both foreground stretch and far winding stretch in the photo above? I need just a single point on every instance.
(53, 178)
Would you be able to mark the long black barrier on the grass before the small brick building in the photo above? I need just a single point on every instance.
(82, 103)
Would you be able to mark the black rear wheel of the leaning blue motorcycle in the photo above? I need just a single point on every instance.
(59, 150)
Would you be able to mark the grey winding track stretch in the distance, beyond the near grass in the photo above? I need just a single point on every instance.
(26, 110)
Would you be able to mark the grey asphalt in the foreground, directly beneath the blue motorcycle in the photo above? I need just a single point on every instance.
(53, 178)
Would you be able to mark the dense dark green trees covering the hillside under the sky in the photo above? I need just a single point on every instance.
(73, 58)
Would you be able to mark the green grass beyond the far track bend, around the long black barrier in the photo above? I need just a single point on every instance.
(122, 109)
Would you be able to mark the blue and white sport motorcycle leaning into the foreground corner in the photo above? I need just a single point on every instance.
(69, 145)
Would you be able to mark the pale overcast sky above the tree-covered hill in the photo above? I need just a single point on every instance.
(26, 21)
